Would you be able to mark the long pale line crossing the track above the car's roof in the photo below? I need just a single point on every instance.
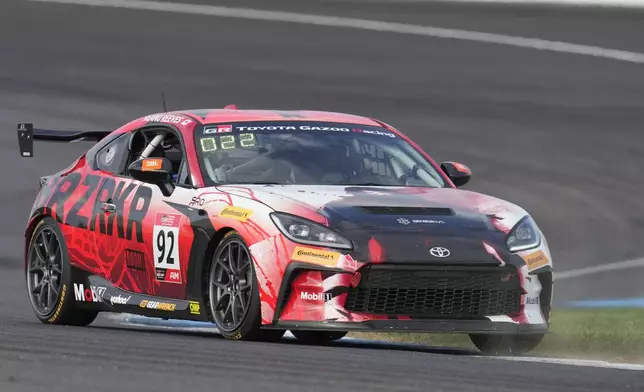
(362, 24)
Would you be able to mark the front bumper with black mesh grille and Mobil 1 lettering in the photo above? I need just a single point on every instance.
(413, 298)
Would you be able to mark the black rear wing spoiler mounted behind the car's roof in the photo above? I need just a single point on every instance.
(27, 134)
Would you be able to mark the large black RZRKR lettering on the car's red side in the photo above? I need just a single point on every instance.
(74, 193)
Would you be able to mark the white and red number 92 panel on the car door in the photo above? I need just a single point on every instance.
(166, 247)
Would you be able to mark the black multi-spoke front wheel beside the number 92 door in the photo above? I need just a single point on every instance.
(233, 295)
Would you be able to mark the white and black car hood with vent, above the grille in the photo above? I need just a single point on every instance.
(403, 223)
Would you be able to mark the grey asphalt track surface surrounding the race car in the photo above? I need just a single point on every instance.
(559, 134)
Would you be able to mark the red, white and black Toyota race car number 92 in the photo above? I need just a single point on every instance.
(265, 221)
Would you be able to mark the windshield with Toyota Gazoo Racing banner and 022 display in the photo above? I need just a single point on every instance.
(307, 153)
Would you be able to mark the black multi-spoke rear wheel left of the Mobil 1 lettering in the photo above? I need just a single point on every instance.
(49, 281)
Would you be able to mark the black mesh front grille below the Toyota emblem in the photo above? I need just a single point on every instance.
(436, 292)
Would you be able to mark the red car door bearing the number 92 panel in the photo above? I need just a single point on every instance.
(145, 244)
